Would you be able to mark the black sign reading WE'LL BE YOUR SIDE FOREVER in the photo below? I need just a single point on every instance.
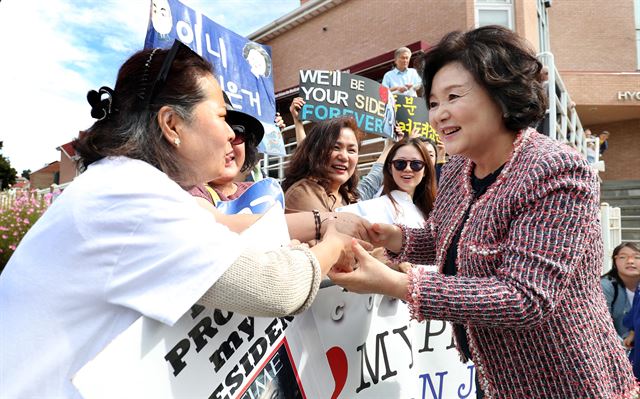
(332, 94)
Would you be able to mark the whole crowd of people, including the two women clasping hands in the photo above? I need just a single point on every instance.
(503, 241)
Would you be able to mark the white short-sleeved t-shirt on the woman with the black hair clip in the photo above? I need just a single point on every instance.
(123, 240)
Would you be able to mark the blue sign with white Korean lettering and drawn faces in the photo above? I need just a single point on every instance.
(243, 67)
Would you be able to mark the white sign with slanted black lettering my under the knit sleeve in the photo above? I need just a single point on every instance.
(206, 354)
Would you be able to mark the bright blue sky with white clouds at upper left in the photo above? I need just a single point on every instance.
(54, 51)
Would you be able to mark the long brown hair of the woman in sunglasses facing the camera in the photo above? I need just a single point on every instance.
(425, 193)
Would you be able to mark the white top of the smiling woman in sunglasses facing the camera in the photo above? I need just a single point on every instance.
(381, 210)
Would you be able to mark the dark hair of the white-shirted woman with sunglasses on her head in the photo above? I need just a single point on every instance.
(133, 129)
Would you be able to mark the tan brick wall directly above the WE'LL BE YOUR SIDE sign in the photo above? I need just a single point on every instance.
(357, 30)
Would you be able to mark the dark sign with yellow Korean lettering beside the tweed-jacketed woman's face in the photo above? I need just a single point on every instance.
(412, 113)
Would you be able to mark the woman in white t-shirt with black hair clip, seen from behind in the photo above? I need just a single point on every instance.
(126, 240)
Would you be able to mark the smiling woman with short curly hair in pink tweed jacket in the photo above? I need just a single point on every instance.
(515, 233)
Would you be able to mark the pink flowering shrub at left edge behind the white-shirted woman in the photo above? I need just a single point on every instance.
(16, 219)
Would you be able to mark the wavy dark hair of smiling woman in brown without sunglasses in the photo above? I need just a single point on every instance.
(312, 155)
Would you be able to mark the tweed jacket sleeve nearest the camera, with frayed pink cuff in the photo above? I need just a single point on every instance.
(556, 217)
